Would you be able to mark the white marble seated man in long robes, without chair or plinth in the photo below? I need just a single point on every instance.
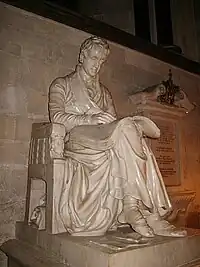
(111, 176)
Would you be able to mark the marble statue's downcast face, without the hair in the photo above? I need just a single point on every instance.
(93, 60)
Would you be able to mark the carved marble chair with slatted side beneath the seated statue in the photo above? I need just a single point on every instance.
(46, 169)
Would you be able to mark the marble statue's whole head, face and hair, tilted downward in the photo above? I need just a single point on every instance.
(93, 53)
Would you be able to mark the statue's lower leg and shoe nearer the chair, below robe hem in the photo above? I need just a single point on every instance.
(134, 217)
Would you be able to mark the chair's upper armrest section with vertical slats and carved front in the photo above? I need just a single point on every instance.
(47, 141)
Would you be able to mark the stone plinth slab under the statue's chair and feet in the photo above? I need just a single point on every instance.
(116, 249)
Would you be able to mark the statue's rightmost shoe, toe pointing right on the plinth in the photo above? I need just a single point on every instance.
(164, 228)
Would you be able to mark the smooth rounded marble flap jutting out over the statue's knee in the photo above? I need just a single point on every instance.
(149, 128)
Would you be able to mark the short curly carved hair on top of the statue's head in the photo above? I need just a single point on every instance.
(89, 43)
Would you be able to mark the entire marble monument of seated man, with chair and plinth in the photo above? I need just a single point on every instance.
(95, 194)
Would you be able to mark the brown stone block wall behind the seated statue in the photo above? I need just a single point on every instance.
(34, 51)
